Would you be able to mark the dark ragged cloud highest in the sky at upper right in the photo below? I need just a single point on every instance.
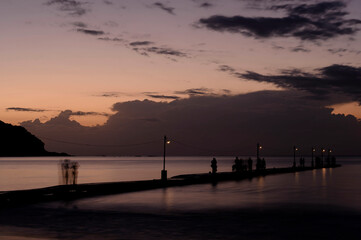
(320, 21)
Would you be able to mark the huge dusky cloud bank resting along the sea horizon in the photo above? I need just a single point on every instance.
(223, 125)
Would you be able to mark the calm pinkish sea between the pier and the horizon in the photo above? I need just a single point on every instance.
(36, 172)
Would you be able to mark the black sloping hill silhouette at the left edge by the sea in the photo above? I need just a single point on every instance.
(17, 141)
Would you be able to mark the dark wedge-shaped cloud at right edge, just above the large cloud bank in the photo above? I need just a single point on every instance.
(334, 79)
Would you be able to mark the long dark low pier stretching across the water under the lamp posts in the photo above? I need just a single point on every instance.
(77, 191)
